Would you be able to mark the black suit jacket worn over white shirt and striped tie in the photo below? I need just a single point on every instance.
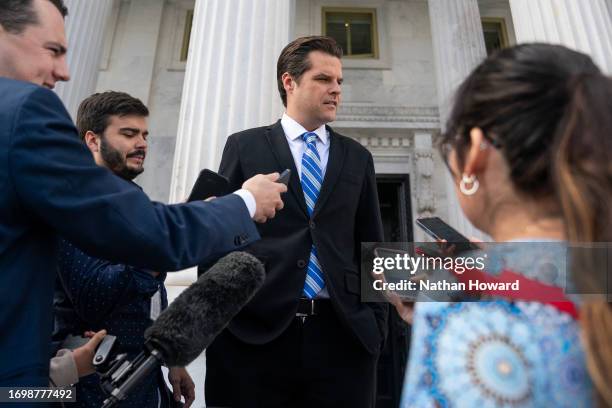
(346, 214)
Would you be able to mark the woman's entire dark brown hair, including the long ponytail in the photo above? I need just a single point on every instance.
(548, 110)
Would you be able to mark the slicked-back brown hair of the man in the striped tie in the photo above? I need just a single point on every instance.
(294, 58)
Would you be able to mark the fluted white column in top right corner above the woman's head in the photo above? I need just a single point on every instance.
(578, 24)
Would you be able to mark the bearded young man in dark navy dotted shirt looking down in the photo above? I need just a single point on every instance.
(93, 293)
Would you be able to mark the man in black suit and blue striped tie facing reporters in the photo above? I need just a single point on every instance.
(305, 339)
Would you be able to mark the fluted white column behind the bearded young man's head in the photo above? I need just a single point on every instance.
(85, 29)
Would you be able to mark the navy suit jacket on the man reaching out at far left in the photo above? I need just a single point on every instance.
(51, 185)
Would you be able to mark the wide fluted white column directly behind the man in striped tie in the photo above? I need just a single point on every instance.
(230, 80)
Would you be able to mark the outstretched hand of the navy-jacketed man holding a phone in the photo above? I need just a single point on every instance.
(267, 193)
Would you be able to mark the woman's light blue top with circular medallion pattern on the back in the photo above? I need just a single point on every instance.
(499, 353)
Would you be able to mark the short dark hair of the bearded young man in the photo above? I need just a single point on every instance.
(95, 111)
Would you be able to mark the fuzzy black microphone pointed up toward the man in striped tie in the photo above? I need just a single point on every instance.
(189, 324)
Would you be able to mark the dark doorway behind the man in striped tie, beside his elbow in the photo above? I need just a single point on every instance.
(394, 199)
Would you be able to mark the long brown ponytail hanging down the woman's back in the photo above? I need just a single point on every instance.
(583, 173)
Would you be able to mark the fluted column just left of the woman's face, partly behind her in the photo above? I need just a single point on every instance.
(458, 46)
